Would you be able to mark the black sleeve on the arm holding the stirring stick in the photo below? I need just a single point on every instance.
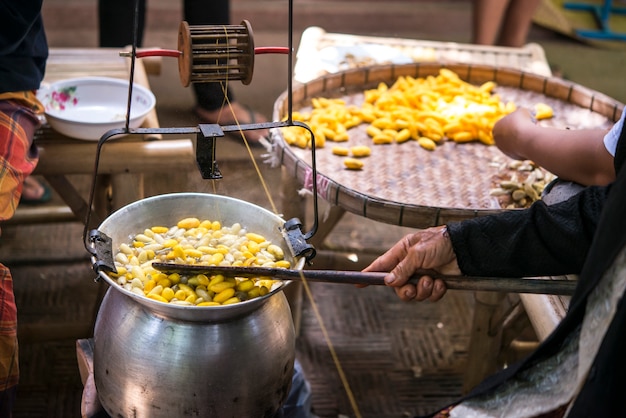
(542, 240)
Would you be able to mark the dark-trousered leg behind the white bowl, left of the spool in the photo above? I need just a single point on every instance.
(116, 20)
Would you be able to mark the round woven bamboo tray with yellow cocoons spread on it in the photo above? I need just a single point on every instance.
(405, 185)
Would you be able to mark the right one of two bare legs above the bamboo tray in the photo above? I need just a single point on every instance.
(517, 22)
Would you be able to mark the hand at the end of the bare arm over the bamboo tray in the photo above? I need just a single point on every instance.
(513, 133)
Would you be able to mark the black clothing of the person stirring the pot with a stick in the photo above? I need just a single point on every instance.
(583, 235)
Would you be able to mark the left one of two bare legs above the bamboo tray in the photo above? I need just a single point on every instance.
(487, 19)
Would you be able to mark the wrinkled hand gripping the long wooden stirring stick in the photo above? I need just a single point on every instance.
(426, 249)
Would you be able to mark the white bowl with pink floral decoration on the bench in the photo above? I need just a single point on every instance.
(86, 108)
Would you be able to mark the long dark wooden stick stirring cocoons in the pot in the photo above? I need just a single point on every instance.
(495, 284)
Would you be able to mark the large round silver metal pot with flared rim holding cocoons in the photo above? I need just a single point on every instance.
(159, 360)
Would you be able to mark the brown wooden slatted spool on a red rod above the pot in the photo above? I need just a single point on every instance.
(215, 53)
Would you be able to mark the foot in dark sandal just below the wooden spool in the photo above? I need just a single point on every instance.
(238, 115)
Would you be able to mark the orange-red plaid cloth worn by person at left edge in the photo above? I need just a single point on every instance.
(18, 158)
